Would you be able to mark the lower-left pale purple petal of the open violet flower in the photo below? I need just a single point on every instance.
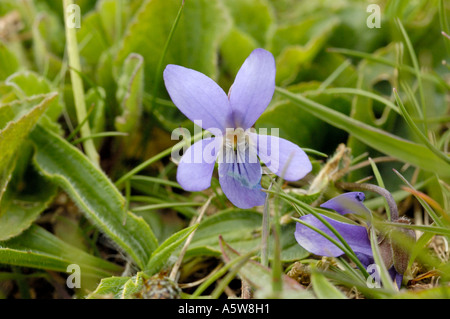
(197, 164)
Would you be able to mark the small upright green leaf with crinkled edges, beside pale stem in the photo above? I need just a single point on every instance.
(129, 93)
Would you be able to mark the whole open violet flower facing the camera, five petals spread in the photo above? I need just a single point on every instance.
(229, 119)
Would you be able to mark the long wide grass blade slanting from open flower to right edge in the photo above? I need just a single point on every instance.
(407, 151)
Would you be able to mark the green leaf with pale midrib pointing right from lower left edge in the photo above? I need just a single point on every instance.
(37, 248)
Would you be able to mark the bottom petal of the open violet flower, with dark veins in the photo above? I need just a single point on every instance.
(241, 183)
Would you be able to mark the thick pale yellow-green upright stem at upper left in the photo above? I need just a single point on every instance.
(77, 85)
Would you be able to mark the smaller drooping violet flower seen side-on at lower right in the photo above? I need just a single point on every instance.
(356, 236)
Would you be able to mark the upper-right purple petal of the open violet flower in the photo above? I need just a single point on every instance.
(253, 88)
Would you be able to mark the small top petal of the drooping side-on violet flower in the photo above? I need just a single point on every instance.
(348, 203)
